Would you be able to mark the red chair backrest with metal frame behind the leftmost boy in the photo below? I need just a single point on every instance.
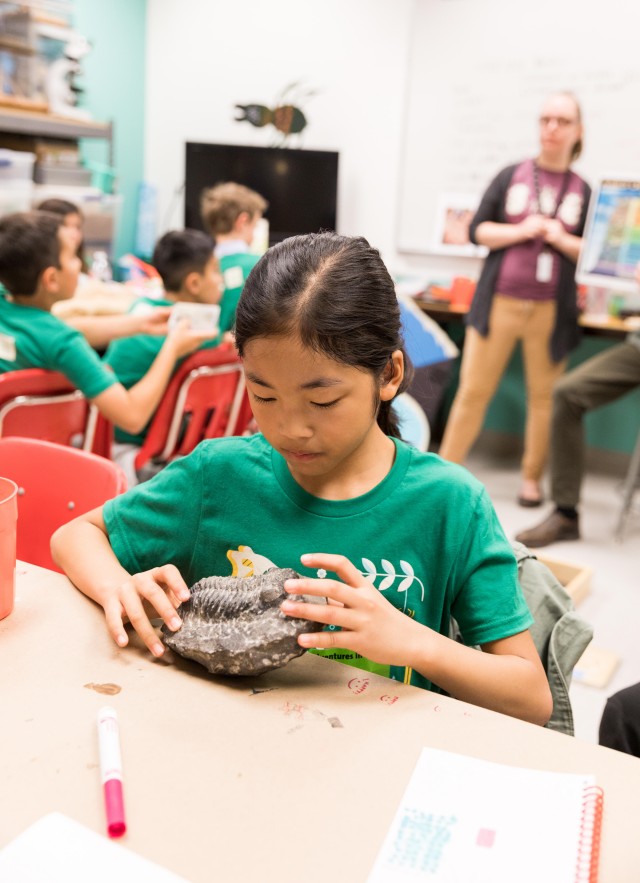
(35, 403)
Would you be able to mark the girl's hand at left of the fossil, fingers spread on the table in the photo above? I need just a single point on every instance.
(161, 589)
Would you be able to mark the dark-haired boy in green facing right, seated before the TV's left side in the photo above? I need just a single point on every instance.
(190, 274)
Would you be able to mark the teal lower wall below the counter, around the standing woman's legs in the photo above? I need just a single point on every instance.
(614, 427)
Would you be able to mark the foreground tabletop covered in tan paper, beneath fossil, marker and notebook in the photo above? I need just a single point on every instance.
(292, 776)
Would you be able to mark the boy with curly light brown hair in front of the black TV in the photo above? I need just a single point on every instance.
(230, 213)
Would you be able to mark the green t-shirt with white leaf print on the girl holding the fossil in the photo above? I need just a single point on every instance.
(427, 535)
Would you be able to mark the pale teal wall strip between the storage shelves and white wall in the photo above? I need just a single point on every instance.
(114, 83)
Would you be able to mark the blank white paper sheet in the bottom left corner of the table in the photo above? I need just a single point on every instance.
(57, 849)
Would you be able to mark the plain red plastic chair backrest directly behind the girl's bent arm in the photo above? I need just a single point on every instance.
(55, 484)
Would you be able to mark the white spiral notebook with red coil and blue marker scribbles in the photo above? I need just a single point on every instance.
(463, 819)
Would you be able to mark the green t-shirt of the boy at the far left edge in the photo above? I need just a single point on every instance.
(34, 338)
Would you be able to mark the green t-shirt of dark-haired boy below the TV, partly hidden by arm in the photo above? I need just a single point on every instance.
(131, 357)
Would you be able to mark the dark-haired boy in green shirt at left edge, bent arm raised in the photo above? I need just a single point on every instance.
(39, 266)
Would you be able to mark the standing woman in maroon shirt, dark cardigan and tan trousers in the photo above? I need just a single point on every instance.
(531, 219)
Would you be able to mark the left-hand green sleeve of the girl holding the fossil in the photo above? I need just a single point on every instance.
(157, 522)
